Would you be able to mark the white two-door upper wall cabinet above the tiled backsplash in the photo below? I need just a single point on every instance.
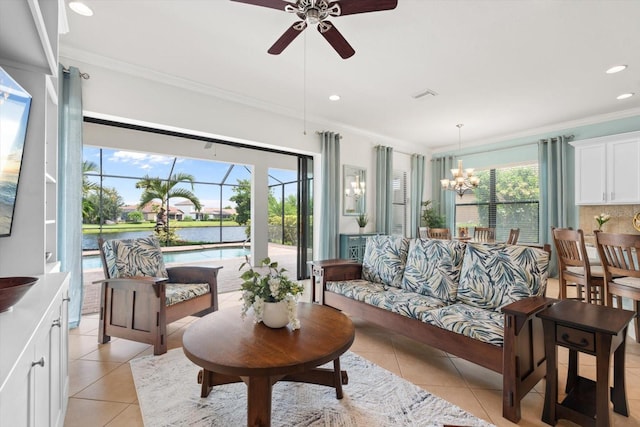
(607, 170)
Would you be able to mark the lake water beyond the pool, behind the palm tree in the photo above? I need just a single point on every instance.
(192, 234)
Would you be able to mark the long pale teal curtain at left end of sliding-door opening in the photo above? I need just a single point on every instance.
(70, 186)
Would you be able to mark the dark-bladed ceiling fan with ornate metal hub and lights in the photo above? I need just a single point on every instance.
(313, 12)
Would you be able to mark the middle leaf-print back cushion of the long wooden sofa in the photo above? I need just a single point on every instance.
(433, 268)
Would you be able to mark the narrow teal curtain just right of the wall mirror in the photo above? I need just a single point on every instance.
(384, 189)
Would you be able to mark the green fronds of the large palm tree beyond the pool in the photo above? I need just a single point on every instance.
(156, 188)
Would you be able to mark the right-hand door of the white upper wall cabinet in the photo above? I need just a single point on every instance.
(624, 171)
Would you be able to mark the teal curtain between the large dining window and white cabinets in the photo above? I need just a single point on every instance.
(557, 189)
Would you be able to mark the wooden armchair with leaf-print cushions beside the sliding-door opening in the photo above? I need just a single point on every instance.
(140, 297)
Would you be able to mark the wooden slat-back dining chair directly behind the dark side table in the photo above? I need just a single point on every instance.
(574, 267)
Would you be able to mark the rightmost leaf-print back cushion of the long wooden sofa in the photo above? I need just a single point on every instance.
(494, 275)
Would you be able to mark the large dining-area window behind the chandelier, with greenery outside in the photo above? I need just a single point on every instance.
(507, 198)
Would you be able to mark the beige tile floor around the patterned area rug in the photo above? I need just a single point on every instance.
(102, 392)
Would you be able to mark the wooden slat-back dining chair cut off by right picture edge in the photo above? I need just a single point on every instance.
(620, 257)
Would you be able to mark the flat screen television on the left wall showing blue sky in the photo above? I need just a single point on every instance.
(15, 104)
